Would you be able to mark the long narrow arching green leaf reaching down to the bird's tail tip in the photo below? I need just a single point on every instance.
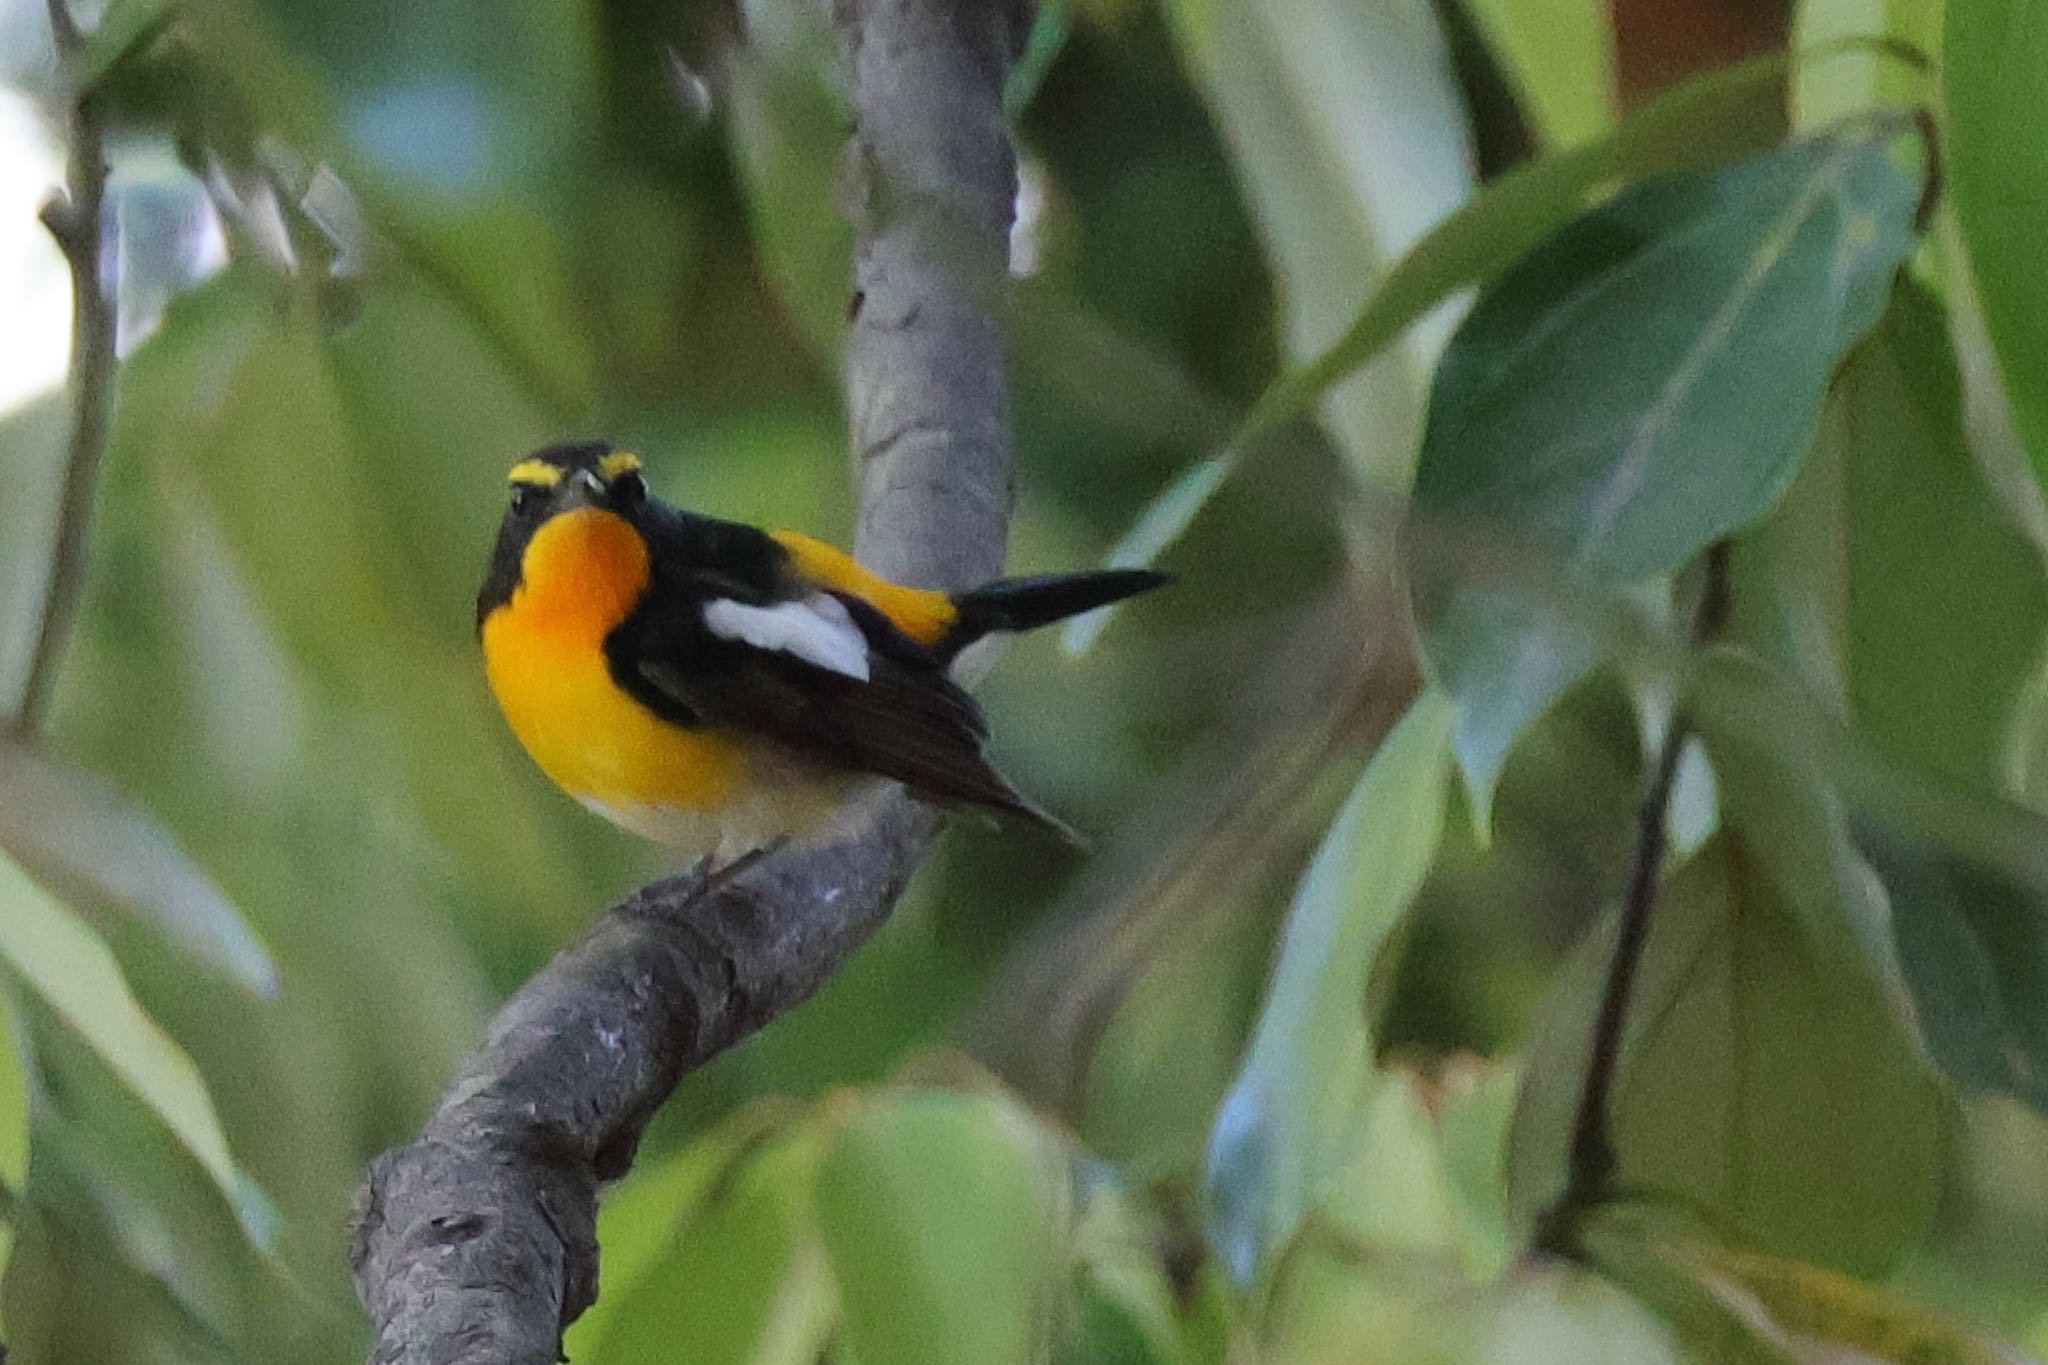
(1699, 124)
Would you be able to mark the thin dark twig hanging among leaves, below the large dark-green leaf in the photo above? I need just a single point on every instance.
(1592, 1161)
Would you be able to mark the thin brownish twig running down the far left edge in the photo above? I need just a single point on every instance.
(75, 222)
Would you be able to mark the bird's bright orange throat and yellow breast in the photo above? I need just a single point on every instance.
(544, 654)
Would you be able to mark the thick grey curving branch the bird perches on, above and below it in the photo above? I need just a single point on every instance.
(478, 1243)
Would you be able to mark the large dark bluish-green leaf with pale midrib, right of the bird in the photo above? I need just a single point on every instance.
(1639, 388)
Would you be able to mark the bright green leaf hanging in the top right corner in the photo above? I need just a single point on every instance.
(1994, 69)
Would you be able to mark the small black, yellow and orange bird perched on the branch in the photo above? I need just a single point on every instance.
(722, 689)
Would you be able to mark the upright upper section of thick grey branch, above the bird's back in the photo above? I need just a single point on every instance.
(931, 191)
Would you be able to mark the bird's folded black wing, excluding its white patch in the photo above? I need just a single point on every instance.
(906, 721)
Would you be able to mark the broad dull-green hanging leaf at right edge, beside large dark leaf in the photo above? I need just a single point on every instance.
(1891, 580)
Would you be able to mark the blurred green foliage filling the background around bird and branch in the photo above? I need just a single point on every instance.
(1285, 1071)
